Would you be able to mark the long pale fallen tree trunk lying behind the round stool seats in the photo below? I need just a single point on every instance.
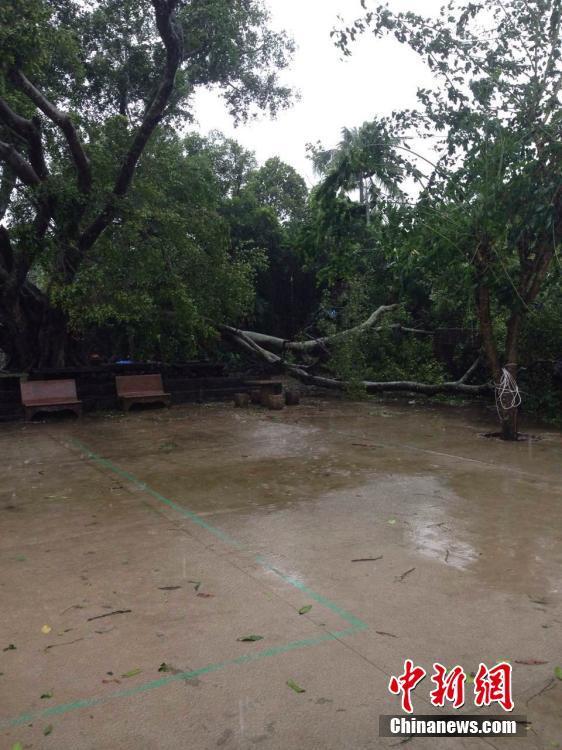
(248, 341)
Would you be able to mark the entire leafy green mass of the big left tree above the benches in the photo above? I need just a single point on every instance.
(164, 267)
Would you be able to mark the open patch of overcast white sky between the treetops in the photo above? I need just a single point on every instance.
(381, 76)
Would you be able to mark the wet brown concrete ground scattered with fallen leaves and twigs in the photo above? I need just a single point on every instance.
(135, 552)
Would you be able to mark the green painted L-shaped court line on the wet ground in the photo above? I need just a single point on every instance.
(356, 625)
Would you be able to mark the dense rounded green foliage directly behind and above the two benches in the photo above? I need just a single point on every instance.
(188, 282)
